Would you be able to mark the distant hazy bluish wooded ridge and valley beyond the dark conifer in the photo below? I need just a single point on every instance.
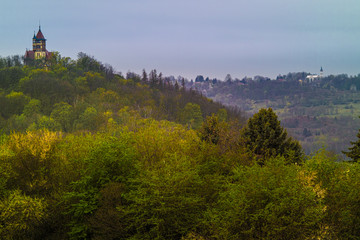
(319, 113)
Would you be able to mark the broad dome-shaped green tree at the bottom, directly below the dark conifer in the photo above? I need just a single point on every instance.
(267, 202)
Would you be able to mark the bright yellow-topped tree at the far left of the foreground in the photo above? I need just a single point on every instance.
(32, 161)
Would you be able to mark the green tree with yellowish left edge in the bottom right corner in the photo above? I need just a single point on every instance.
(338, 184)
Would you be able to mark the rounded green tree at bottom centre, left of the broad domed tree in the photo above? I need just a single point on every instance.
(166, 204)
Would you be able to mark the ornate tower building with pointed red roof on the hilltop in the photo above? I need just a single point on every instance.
(39, 48)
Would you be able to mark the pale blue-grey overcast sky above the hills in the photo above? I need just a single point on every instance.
(192, 37)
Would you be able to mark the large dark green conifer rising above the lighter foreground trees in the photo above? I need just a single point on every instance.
(266, 138)
